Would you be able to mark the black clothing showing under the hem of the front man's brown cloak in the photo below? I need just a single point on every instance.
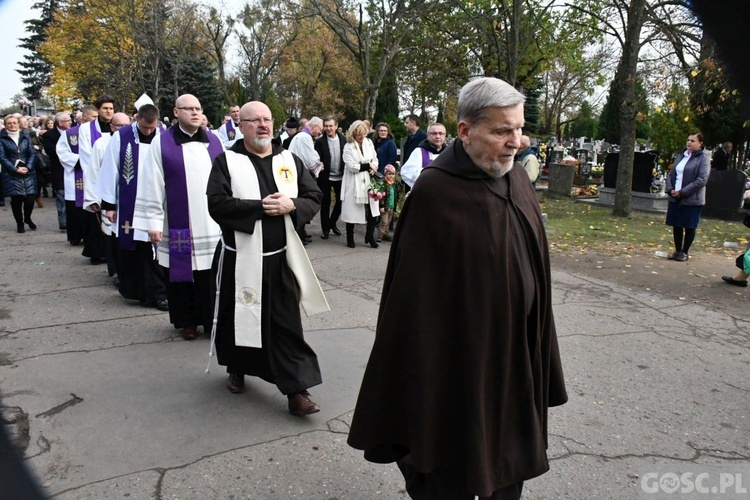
(446, 484)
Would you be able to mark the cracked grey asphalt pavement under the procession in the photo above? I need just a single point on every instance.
(107, 401)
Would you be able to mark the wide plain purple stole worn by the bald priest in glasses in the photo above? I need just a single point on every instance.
(178, 212)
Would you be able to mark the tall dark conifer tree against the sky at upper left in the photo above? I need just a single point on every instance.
(35, 70)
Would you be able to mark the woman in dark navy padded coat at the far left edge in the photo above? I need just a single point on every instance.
(18, 175)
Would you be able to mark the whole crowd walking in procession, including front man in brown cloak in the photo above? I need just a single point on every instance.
(210, 225)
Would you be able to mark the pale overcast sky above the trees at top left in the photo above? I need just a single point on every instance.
(14, 13)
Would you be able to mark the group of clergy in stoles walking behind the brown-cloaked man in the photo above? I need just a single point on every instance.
(210, 237)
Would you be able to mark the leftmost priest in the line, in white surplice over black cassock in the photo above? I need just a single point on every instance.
(67, 151)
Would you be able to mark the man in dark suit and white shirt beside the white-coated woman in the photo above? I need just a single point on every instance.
(330, 147)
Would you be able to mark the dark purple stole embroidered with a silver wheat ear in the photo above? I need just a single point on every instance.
(128, 183)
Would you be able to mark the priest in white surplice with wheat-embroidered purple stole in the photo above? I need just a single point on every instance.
(140, 276)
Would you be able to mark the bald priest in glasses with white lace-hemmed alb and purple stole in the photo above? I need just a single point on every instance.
(171, 206)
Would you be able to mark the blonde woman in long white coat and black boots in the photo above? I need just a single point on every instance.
(360, 162)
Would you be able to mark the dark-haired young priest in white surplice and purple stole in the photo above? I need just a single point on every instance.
(94, 242)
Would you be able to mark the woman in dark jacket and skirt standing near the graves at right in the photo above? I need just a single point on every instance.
(686, 187)
